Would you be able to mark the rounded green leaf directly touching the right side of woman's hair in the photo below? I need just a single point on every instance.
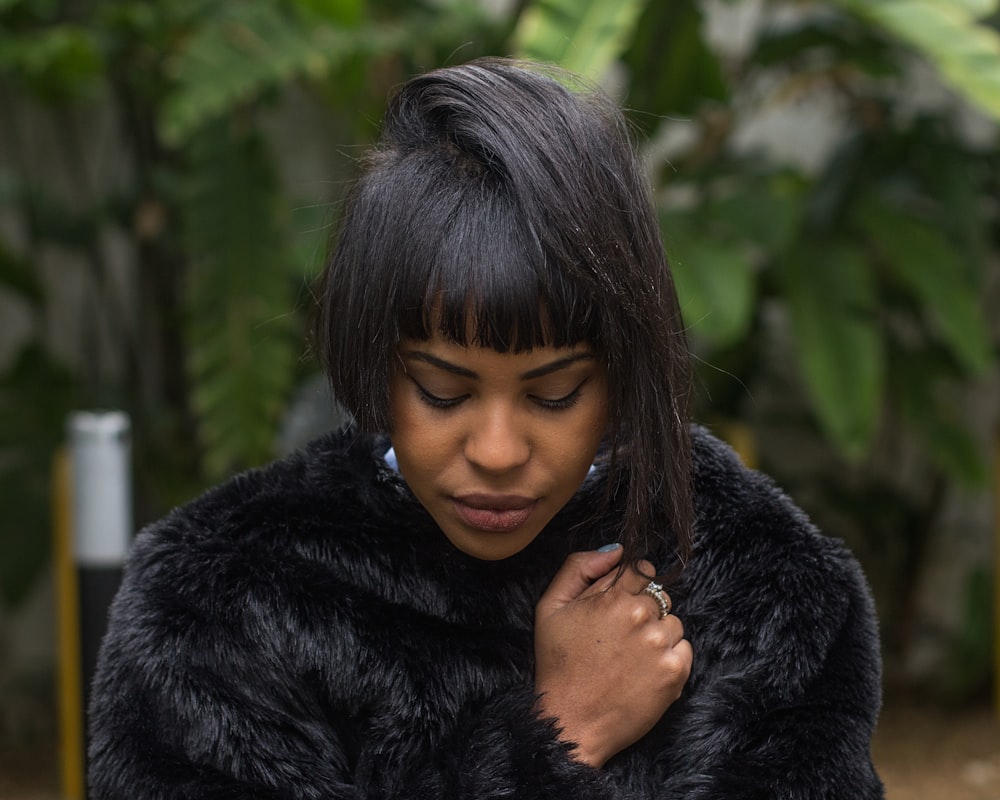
(714, 280)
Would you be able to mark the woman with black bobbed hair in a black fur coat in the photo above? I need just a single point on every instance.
(455, 597)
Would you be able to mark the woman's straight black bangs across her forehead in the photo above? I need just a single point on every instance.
(483, 278)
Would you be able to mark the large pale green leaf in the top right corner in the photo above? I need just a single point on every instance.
(947, 32)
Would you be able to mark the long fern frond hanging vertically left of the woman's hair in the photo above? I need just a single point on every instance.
(242, 356)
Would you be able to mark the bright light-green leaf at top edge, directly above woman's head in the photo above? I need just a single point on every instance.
(583, 36)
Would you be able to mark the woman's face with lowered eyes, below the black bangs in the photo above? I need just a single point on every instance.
(494, 444)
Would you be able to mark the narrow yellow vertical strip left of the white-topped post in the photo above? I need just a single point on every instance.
(69, 689)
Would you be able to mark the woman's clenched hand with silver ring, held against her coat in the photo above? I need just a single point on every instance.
(606, 665)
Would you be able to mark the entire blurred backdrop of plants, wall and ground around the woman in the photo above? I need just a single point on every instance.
(827, 176)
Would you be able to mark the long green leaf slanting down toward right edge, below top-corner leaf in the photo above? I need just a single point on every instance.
(923, 260)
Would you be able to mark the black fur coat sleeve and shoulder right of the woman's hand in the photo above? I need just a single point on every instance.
(786, 686)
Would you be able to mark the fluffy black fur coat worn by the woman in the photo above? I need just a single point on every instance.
(305, 631)
